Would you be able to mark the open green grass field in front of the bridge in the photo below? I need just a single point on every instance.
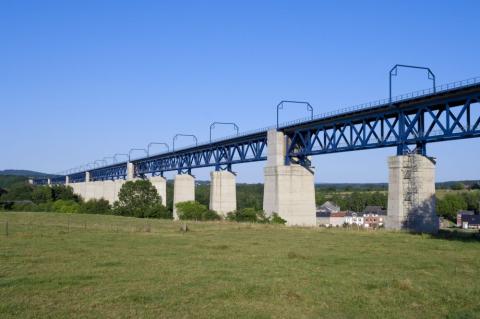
(59, 266)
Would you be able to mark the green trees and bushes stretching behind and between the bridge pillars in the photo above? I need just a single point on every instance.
(140, 199)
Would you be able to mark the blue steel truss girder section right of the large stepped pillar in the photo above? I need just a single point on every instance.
(441, 120)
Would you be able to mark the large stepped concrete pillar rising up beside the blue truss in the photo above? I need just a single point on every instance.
(289, 190)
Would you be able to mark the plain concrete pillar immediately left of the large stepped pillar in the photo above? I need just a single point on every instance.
(223, 192)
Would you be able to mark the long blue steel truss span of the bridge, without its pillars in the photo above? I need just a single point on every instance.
(408, 122)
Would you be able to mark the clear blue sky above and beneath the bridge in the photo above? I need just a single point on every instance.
(80, 80)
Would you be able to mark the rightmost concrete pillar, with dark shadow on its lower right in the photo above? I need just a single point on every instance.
(411, 194)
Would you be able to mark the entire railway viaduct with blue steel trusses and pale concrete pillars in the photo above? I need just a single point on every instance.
(407, 123)
